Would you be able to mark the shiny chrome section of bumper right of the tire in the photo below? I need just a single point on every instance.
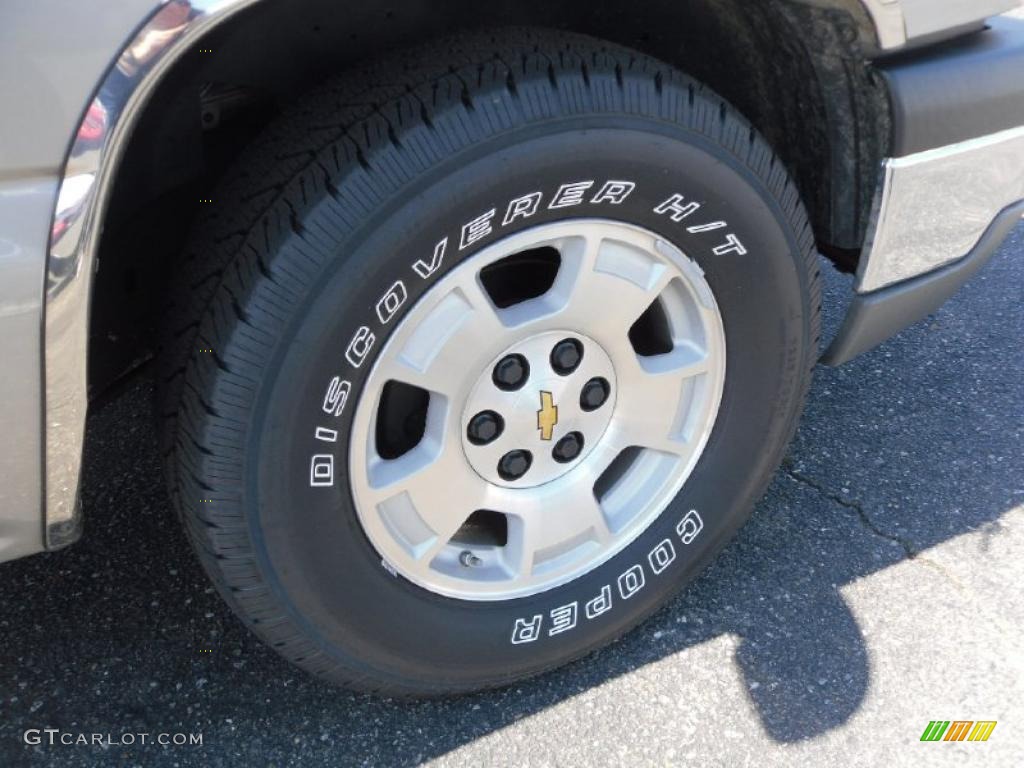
(933, 207)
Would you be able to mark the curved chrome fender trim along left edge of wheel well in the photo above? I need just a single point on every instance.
(87, 183)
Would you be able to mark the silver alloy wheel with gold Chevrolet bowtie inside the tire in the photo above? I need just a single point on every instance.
(561, 519)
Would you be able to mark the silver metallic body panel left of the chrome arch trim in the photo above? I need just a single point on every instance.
(52, 57)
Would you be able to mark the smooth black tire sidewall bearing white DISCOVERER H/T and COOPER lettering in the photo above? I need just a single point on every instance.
(308, 540)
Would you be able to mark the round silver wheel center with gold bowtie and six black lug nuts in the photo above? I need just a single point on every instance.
(539, 409)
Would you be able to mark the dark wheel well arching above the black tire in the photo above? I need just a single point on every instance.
(795, 71)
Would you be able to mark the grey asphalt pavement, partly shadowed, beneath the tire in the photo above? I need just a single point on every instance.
(878, 587)
